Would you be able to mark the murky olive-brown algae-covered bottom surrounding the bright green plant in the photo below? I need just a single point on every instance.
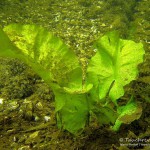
(27, 104)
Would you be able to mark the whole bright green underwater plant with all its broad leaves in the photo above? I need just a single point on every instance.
(112, 67)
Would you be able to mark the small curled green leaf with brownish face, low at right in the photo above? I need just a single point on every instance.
(128, 113)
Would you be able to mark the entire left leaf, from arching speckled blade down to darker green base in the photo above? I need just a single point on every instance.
(56, 64)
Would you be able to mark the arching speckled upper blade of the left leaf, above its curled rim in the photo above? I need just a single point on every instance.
(45, 53)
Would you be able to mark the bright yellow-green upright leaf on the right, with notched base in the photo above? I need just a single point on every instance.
(115, 62)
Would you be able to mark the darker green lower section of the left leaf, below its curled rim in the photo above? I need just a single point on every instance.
(72, 110)
